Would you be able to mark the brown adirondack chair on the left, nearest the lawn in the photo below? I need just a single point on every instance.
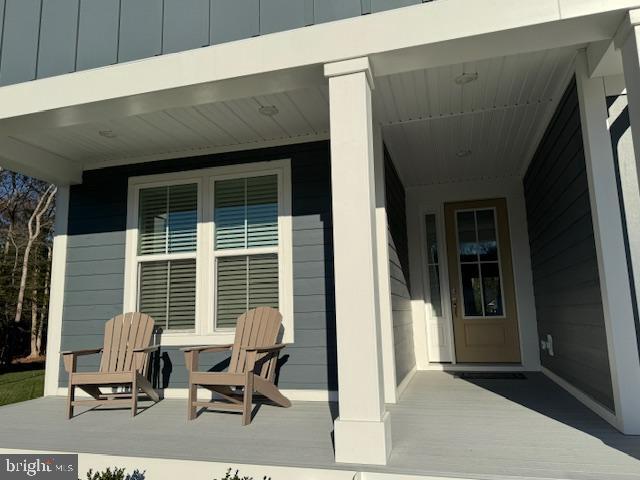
(124, 362)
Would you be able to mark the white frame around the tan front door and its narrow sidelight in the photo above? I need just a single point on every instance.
(431, 199)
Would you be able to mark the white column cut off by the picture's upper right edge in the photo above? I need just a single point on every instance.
(627, 40)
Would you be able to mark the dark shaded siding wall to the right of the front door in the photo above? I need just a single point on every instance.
(563, 256)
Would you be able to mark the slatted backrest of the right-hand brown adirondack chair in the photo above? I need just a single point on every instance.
(258, 327)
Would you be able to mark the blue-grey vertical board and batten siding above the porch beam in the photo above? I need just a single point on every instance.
(41, 38)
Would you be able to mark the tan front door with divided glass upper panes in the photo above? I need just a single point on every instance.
(485, 323)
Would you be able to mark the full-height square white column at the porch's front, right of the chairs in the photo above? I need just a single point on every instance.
(362, 431)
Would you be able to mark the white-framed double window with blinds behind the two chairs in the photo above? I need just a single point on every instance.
(205, 246)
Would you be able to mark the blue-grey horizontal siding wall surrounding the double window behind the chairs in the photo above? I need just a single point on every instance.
(96, 252)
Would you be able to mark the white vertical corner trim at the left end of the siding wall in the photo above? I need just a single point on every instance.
(56, 292)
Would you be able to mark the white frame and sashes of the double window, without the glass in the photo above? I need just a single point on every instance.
(205, 330)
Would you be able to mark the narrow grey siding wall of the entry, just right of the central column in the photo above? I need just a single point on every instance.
(399, 270)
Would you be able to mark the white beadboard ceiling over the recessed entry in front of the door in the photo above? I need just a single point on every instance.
(428, 118)
